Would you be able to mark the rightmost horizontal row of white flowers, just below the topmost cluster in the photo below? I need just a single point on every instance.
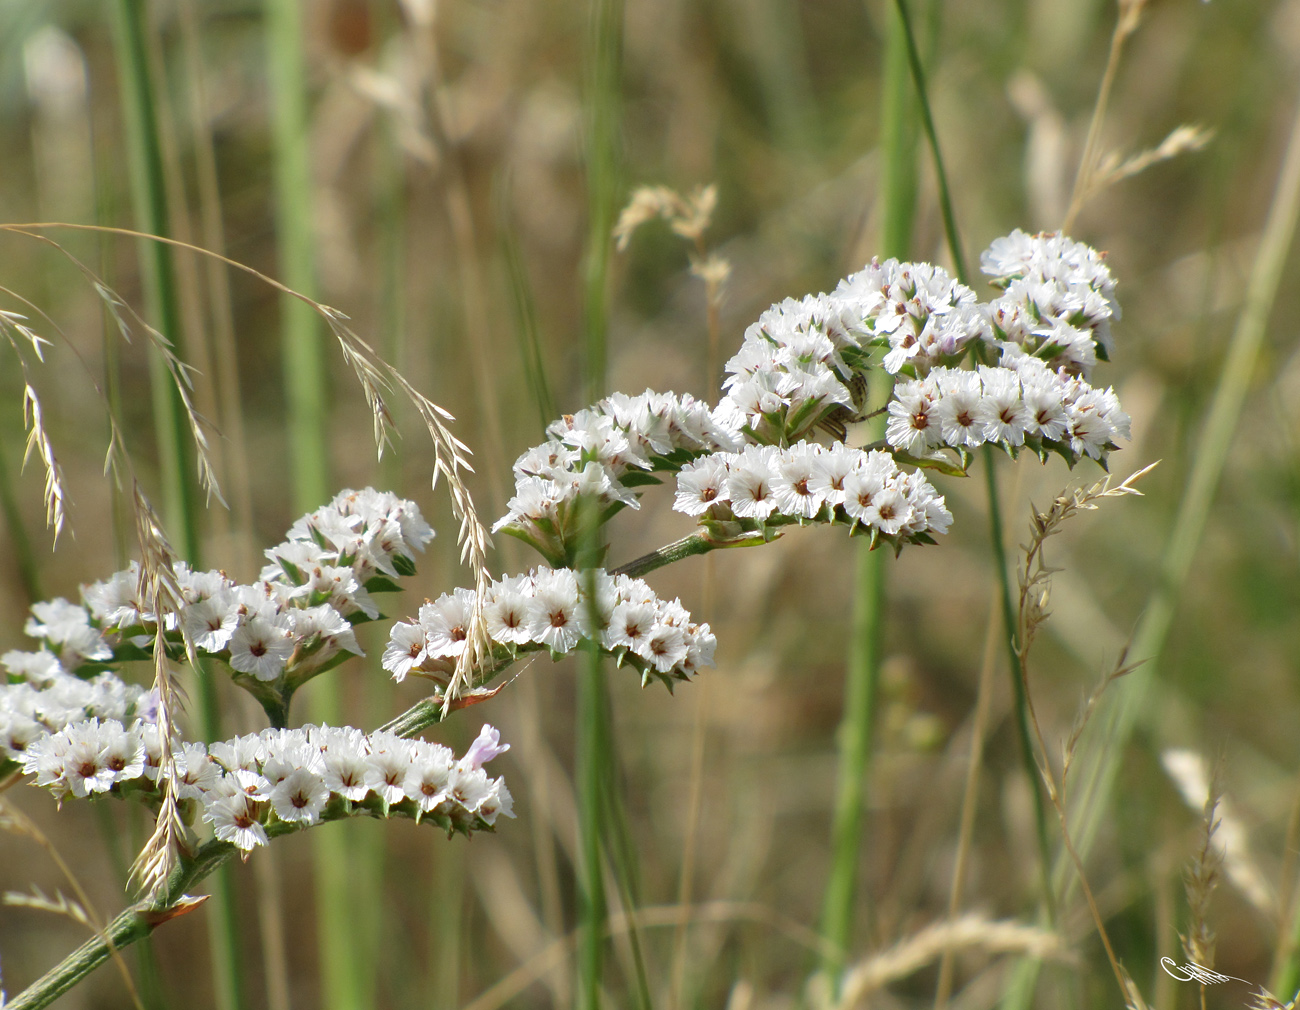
(1022, 402)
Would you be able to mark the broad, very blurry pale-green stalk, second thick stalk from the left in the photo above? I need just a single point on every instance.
(306, 395)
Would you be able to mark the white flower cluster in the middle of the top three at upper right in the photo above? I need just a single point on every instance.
(925, 315)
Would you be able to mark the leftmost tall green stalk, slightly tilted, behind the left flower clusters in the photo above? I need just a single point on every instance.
(149, 189)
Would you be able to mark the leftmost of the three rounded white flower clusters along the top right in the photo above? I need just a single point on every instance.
(791, 369)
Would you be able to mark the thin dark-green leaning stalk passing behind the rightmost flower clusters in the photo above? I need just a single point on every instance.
(996, 540)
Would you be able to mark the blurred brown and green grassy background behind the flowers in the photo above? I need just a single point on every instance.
(423, 168)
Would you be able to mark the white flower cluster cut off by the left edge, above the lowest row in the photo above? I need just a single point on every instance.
(45, 699)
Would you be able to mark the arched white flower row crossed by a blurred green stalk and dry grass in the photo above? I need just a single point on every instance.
(552, 609)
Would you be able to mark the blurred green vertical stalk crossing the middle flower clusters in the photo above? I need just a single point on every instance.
(604, 68)
